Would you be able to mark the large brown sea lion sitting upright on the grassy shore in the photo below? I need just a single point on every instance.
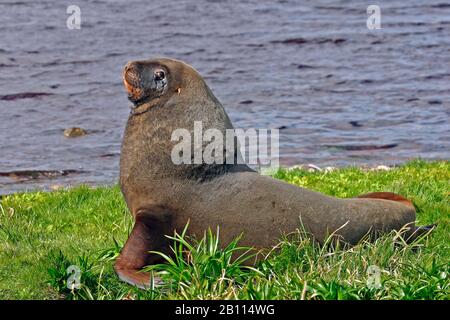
(162, 196)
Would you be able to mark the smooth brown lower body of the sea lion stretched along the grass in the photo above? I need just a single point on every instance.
(263, 208)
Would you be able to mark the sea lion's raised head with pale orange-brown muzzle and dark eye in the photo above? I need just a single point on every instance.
(158, 79)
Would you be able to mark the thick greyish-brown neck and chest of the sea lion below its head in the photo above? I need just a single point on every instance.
(148, 142)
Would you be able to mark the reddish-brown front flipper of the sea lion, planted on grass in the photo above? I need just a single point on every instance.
(148, 234)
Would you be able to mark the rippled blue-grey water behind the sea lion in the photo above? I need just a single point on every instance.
(313, 69)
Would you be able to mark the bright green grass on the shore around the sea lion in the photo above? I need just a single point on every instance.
(42, 234)
